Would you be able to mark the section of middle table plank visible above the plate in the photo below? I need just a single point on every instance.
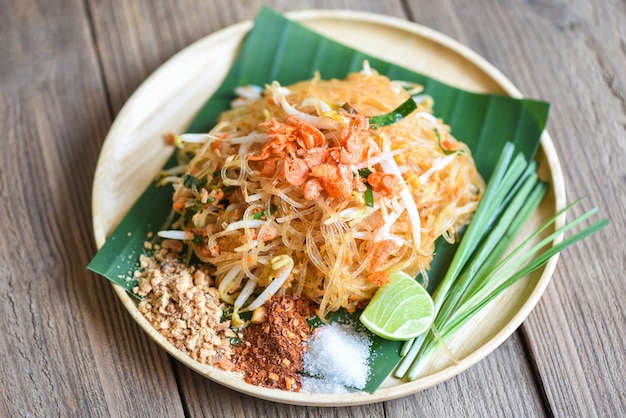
(134, 38)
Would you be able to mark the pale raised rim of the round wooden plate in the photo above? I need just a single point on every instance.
(234, 381)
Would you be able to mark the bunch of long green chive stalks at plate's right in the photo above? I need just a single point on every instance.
(480, 271)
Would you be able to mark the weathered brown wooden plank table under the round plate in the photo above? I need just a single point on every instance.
(69, 348)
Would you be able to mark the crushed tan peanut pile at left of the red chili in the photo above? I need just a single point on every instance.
(181, 302)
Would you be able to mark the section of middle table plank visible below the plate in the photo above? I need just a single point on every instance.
(500, 385)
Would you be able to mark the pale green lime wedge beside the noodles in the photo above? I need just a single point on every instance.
(400, 309)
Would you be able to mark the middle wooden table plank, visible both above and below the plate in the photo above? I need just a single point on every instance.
(132, 45)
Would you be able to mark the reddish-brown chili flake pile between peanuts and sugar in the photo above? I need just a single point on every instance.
(271, 354)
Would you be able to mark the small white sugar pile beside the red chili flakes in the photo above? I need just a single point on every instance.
(336, 360)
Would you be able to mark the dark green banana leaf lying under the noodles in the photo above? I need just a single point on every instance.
(280, 49)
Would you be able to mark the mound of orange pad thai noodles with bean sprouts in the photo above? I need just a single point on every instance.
(320, 189)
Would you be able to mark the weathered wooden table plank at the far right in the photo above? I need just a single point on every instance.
(571, 54)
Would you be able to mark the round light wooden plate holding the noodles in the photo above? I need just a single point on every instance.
(167, 101)
